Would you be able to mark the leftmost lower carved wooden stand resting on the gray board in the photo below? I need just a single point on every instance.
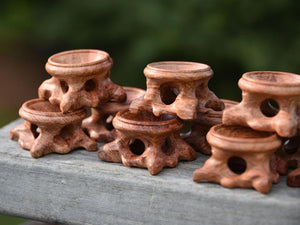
(47, 130)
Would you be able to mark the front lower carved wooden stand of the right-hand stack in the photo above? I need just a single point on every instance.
(240, 158)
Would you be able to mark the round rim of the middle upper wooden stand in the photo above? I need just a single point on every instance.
(178, 70)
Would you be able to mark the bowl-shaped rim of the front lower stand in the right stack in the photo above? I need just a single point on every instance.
(242, 139)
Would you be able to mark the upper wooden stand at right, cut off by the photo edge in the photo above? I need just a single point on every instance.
(258, 88)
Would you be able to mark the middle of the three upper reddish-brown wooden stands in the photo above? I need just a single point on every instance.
(178, 88)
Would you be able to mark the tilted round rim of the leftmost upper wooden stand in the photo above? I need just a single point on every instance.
(81, 62)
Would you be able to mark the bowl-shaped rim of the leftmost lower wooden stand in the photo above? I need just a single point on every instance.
(39, 111)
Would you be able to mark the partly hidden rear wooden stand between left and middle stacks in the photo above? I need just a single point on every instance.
(99, 124)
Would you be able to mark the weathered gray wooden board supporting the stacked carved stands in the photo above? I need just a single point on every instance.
(78, 188)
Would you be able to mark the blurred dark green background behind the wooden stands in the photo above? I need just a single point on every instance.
(231, 36)
